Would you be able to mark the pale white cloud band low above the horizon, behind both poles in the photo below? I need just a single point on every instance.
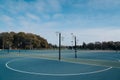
(83, 35)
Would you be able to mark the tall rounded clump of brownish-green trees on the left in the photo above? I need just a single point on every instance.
(22, 40)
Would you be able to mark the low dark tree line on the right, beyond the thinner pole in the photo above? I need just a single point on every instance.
(110, 45)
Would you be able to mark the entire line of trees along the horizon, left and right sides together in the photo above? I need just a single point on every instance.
(21, 40)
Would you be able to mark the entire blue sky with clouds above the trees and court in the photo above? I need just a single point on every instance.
(89, 20)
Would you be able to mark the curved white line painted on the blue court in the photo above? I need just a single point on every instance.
(36, 73)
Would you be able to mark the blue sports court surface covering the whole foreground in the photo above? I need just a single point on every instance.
(44, 65)
